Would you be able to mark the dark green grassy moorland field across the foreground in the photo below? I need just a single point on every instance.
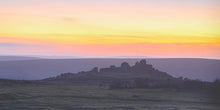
(72, 97)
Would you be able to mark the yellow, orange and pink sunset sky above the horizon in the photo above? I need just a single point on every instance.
(109, 28)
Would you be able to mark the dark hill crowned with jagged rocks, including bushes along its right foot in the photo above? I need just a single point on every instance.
(140, 75)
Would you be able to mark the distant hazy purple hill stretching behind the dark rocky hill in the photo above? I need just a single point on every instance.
(204, 69)
